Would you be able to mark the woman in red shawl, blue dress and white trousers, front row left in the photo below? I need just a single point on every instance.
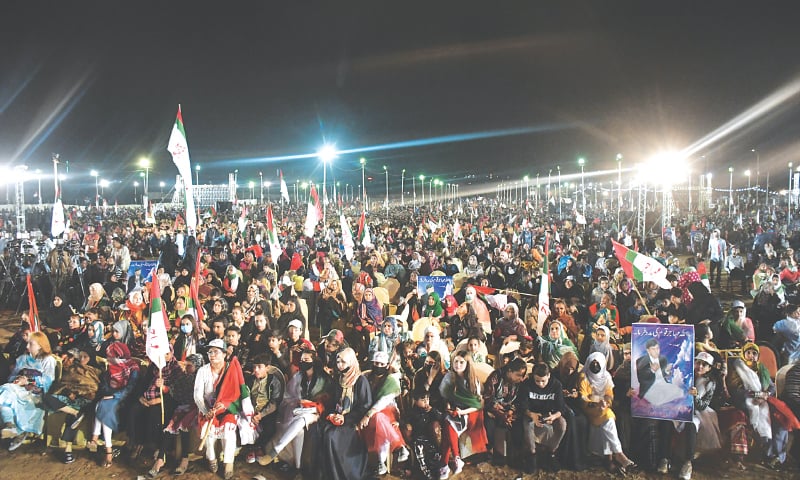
(115, 385)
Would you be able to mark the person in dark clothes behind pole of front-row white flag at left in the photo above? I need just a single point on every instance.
(145, 421)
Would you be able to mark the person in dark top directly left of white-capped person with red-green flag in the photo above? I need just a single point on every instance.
(183, 417)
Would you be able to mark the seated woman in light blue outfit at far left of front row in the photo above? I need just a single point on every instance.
(31, 378)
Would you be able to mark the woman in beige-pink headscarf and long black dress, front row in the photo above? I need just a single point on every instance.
(342, 450)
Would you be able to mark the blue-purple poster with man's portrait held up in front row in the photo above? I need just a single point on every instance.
(662, 360)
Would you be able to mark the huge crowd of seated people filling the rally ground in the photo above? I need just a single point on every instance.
(337, 366)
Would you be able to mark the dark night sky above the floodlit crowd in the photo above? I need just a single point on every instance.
(99, 83)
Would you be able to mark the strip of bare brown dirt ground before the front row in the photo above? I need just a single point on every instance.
(31, 461)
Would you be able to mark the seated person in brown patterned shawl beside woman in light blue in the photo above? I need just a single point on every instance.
(75, 391)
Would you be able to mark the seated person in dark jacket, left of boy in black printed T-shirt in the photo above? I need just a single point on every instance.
(501, 398)
